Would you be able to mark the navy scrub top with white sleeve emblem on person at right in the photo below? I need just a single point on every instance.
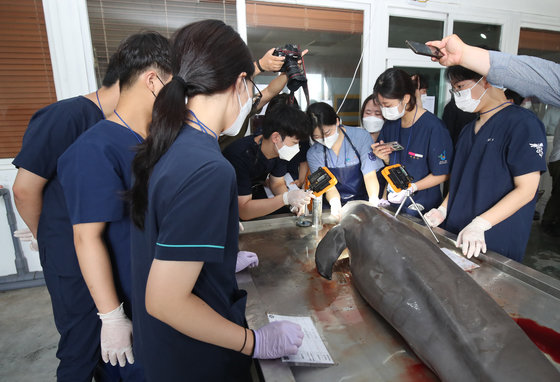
(511, 143)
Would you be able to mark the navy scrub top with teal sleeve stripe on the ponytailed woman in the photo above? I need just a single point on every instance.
(192, 215)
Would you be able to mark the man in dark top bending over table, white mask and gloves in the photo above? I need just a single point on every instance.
(264, 158)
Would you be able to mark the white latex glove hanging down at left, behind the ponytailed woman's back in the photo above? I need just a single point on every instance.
(116, 337)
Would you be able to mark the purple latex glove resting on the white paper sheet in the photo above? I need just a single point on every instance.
(277, 339)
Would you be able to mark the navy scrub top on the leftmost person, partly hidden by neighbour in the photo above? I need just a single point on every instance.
(50, 132)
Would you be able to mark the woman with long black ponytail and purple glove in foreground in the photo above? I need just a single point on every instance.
(189, 314)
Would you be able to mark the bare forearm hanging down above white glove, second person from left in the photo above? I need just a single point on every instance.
(95, 265)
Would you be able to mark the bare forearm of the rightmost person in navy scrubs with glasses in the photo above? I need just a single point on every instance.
(511, 202)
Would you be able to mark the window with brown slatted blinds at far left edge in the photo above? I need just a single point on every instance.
(25, 73)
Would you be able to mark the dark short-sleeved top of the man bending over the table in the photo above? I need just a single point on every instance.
(250, 164)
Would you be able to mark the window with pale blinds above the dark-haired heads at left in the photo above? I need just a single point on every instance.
(111, 21)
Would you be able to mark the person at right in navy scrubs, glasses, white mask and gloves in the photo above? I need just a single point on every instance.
(499, 158)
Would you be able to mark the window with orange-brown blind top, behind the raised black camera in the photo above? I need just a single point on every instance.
(333, 37)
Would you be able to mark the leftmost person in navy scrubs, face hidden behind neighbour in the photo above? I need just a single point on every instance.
(40, 202)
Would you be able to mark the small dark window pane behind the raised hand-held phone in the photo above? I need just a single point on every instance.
(407, 28)
